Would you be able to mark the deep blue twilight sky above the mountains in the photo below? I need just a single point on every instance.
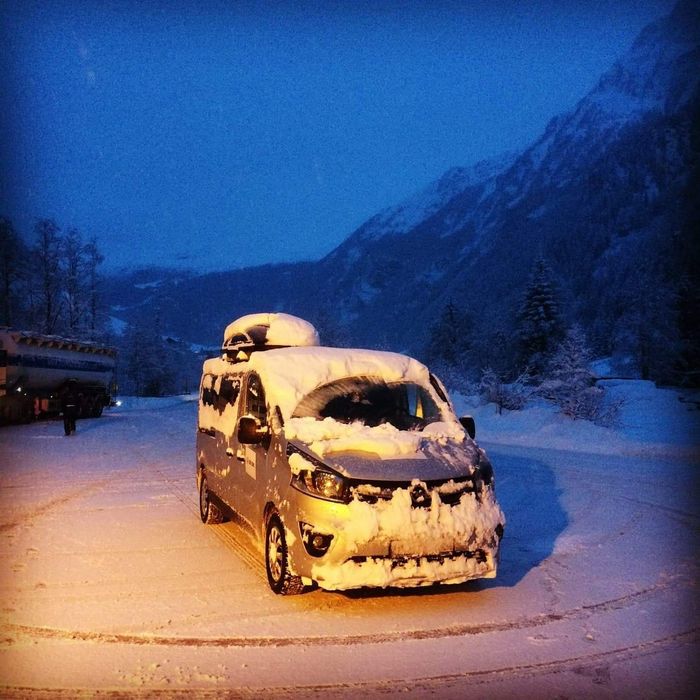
(219, 134)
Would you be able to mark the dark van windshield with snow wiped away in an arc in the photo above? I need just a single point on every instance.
(371, 401)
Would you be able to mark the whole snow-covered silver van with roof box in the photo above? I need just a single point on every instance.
(350, 466)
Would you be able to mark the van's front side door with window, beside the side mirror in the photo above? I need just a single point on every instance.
(253, 457)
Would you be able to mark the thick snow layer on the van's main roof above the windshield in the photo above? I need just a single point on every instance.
(289, 374)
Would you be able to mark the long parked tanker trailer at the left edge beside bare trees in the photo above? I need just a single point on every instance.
(35, 370)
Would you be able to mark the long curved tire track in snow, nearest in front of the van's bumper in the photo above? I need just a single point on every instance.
(580, 613)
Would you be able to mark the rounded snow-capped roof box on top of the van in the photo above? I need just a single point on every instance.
(268, 330)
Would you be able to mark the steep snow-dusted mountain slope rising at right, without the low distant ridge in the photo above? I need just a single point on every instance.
(604, 187)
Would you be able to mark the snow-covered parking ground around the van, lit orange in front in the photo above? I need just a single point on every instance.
(110, 583)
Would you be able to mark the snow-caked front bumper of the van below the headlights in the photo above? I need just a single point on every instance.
(367, 546)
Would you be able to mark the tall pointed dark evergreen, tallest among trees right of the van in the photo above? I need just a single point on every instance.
(539, 319)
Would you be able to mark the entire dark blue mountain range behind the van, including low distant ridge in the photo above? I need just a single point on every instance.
(607, 195)
